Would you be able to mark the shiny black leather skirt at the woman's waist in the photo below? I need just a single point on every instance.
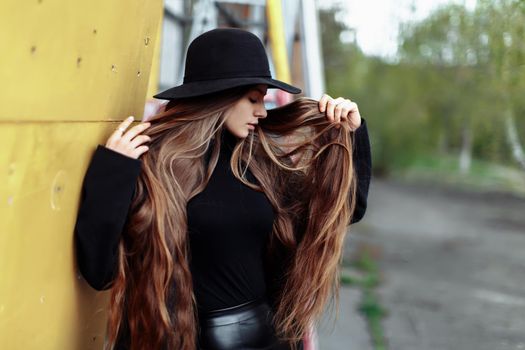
(246, 326)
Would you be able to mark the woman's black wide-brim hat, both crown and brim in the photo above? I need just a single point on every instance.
(224, 58)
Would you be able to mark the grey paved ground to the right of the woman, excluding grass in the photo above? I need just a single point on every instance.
(453, 266)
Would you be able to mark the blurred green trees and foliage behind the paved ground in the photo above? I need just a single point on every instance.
(457, 71)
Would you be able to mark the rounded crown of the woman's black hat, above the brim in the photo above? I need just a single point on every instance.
(225, 53)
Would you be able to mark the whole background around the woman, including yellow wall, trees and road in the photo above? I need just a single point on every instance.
(438, 260)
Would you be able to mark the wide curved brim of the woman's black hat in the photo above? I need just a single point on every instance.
(199, 88)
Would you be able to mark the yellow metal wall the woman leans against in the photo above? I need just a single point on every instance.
(68, 71)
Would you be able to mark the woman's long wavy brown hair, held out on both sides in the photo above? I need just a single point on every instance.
(304, 167)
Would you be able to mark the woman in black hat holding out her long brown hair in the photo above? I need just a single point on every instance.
(223, 235)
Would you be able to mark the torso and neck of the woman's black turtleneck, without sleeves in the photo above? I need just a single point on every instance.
(229, 225)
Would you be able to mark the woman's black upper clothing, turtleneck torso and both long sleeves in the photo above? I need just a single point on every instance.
(228, 224)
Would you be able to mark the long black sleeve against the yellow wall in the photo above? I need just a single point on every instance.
(107, 191)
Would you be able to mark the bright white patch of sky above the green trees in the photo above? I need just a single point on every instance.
(376, 21)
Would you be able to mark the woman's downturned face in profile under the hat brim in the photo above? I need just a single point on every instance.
(247, 110)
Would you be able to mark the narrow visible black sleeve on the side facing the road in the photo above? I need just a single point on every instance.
(363, 169)
